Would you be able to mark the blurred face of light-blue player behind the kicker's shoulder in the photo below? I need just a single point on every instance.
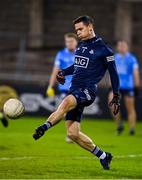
(70, 43)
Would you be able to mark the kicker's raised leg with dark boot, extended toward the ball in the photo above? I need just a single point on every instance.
(66, 105)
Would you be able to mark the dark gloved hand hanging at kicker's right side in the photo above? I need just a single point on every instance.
(115, 103)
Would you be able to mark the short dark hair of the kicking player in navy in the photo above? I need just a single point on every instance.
(85, 19)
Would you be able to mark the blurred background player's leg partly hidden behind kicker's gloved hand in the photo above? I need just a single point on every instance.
(117, 118)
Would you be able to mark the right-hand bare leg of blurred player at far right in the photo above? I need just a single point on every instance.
(131, 112)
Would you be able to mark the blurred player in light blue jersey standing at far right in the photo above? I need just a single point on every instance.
(128, 71)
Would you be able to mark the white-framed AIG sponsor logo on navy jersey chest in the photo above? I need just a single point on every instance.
(81, 61)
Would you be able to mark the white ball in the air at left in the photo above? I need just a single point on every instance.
(13, 108)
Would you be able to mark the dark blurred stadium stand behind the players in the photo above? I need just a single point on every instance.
(31, 33)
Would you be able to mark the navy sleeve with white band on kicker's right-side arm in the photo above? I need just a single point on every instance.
(111, 66)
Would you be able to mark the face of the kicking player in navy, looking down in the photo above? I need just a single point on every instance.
(83, 31)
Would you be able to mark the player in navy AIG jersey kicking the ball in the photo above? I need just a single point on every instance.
(92, 59)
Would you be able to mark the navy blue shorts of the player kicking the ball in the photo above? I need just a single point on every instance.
(84, 97)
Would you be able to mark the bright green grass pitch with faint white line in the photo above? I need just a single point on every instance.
(52, 158)
